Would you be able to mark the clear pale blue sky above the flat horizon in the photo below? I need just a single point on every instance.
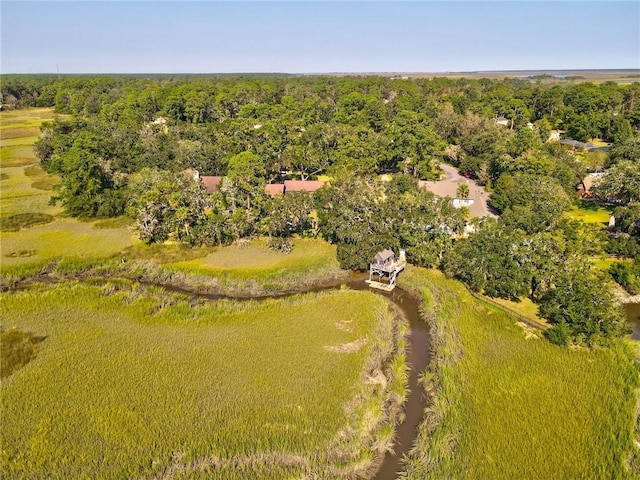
(317, 36)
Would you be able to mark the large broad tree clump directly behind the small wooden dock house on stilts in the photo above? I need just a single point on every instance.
(362, 218)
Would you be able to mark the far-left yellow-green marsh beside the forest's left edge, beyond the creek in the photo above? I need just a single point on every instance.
(24, 194)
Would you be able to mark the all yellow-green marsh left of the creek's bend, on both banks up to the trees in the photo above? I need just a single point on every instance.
(106, 378)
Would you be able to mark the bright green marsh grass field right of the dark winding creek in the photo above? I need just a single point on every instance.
(508, 405)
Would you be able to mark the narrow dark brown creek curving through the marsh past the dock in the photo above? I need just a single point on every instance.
(418, 356)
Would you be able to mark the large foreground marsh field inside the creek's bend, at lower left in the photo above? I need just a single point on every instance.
(135, 383)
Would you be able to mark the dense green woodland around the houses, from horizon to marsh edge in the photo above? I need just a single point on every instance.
(120, 144)
